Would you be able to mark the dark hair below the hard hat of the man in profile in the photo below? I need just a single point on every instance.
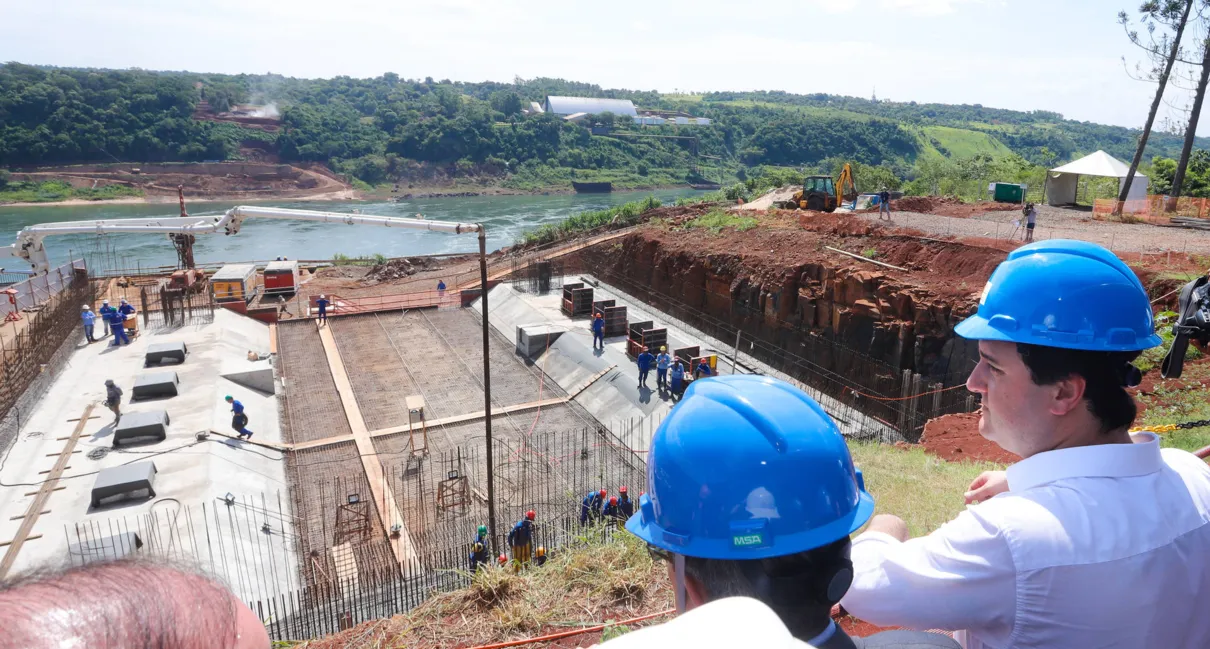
(1107, 376)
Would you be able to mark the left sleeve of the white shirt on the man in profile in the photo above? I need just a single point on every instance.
(960, 577)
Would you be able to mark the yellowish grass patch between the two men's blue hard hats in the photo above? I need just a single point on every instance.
(920, 489)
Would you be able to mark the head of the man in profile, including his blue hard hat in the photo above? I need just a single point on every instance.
(1058, 326)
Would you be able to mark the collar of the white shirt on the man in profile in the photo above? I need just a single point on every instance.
(1092, 462)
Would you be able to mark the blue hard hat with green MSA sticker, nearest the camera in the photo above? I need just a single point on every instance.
(748, 468)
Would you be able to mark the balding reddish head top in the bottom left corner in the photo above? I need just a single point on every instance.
(126, 604)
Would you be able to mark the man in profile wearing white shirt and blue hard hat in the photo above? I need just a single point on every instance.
(1096, 538)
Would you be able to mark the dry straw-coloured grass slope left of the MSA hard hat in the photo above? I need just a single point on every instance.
(592, 584)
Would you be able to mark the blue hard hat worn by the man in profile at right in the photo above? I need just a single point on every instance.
(1064, 294)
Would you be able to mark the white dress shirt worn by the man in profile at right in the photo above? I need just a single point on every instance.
(1092, 547)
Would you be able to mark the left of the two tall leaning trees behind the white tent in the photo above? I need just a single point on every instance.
(1173, 15)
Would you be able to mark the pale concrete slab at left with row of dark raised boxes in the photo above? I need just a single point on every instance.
(192, 516)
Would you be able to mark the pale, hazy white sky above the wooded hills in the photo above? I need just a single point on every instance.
(1052, 55)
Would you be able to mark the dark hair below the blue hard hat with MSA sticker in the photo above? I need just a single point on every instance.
(796, 587)
